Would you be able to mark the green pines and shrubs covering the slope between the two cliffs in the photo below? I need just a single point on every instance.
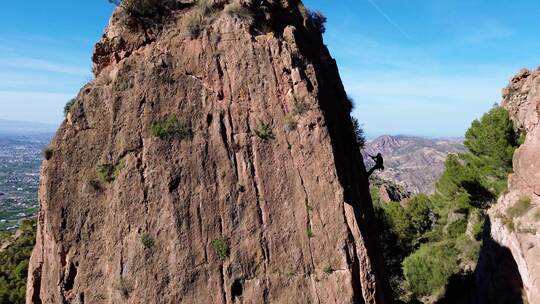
(435, 240)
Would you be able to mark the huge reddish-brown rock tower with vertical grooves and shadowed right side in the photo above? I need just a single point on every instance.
(218, 215)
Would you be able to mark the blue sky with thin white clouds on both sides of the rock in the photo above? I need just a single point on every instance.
(421, 67)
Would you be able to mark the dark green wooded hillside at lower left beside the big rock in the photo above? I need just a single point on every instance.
(15, 251)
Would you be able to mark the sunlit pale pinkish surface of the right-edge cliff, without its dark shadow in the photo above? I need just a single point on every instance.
(519, 235)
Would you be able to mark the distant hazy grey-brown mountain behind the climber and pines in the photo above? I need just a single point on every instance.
(416, 163)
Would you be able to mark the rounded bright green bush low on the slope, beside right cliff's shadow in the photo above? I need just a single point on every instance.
(428, 269)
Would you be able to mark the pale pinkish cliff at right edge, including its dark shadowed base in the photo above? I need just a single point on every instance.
(516, 234)
